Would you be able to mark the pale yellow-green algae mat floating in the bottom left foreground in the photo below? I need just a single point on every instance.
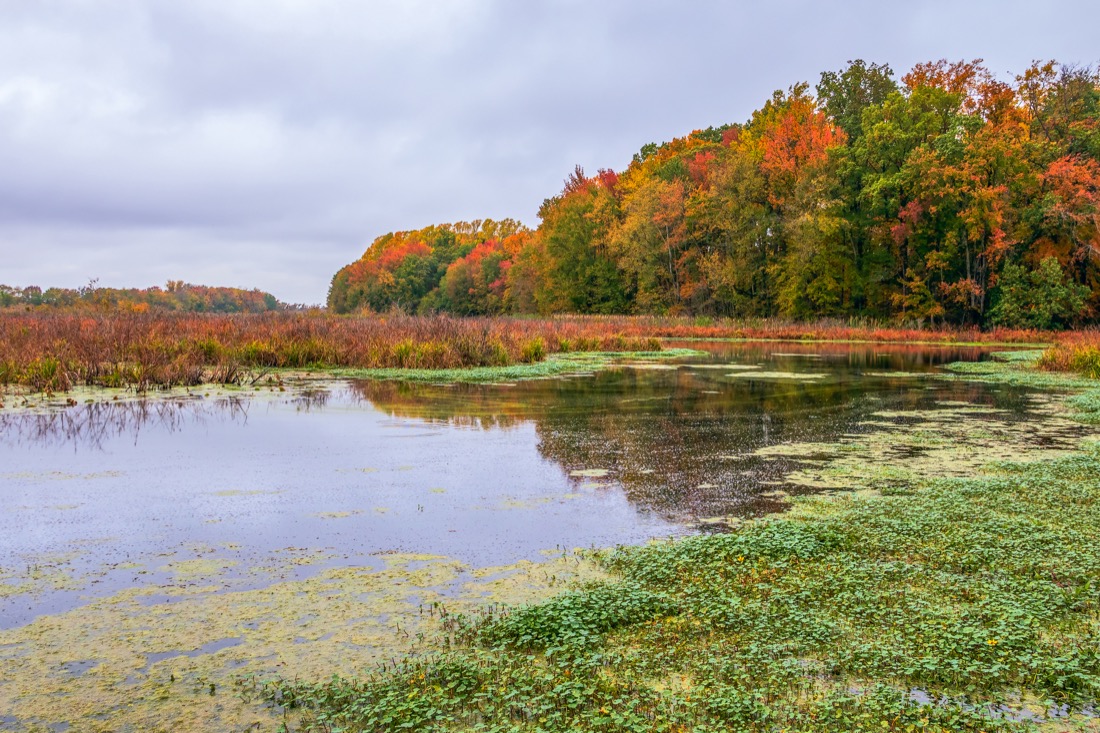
(175, 660)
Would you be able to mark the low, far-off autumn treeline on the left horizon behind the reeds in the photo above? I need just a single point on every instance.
(177, 296)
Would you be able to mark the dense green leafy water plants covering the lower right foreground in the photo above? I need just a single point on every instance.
(966, 604)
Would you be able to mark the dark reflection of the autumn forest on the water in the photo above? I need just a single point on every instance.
(680, 442)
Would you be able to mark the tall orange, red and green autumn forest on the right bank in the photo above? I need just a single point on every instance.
(950, 198)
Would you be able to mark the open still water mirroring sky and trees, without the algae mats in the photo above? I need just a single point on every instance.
(101, 497)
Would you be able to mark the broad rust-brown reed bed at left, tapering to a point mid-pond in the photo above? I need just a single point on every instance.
(54, 353)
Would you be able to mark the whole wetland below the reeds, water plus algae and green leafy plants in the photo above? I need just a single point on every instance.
(210, 560)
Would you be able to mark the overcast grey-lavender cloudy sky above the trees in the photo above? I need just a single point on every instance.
(266, 144)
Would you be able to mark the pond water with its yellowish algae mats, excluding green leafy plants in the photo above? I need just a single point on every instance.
(205, 534)
